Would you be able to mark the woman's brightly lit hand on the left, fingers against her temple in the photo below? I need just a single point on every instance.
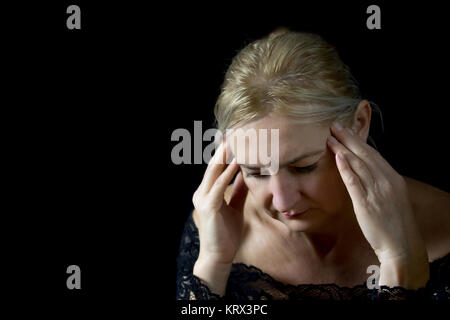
(220, 224)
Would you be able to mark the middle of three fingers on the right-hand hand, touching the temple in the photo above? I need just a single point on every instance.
(357, 165)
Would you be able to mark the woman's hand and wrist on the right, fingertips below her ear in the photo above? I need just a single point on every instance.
(383, 209)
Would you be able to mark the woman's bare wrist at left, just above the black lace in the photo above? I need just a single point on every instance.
(214, 275)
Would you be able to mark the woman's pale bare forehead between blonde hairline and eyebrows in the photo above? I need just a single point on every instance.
(294, 138)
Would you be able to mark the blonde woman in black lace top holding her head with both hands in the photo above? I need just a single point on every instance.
(334, 208)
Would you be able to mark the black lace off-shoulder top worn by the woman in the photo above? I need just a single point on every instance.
(250, 283)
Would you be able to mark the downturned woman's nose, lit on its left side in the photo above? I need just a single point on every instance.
(285, 192)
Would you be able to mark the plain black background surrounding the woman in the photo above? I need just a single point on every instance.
(89, 115)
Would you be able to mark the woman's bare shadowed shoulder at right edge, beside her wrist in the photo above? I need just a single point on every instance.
(432, 209)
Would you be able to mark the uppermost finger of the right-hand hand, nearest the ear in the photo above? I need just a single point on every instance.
(361, 149)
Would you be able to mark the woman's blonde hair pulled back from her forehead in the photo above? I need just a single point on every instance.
(297, 74)
